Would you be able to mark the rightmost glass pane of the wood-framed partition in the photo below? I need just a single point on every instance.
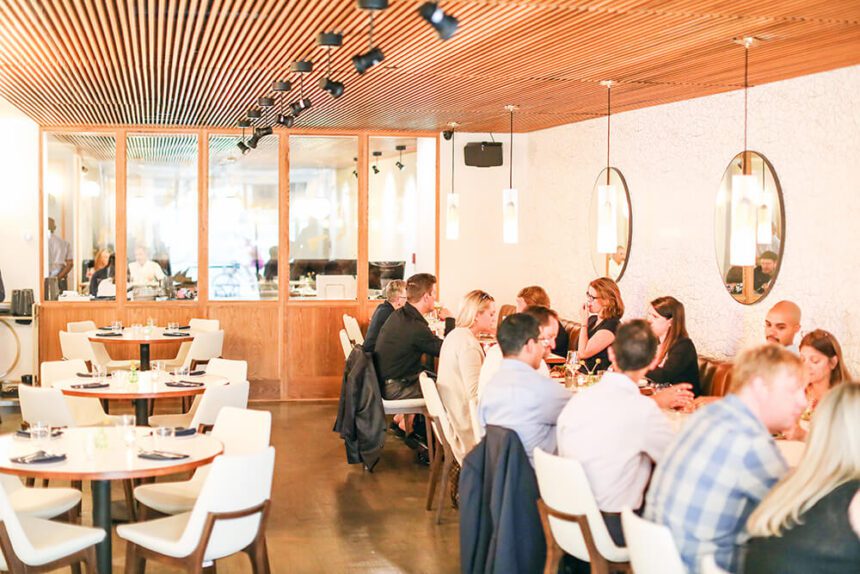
(402, 210)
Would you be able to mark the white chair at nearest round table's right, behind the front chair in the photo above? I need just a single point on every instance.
(241, 431)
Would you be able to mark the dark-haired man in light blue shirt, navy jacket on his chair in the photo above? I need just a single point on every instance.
(518, 397)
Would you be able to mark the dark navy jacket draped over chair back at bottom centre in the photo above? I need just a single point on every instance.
(500, 527)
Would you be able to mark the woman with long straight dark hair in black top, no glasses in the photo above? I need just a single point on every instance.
(677, 361)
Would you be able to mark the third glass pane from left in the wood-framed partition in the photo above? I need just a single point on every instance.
(243, 220)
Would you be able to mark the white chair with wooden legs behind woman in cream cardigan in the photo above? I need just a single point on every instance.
(444, 433)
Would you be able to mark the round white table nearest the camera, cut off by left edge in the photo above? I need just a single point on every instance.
(113, 461)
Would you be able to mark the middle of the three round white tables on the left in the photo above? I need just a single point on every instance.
(147, 388)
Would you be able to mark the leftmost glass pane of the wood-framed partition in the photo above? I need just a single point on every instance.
(79, 181)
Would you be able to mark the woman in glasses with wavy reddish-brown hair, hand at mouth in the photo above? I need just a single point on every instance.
(601, 315)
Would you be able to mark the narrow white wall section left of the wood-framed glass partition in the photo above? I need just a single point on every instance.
(19, 217)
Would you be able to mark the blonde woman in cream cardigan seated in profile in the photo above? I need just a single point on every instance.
(460, 366)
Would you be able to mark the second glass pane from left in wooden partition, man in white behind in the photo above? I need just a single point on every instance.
(161, 201)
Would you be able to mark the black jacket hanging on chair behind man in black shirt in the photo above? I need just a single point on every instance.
(360, 416)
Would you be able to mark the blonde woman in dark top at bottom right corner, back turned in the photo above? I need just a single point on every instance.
(810, 521)
